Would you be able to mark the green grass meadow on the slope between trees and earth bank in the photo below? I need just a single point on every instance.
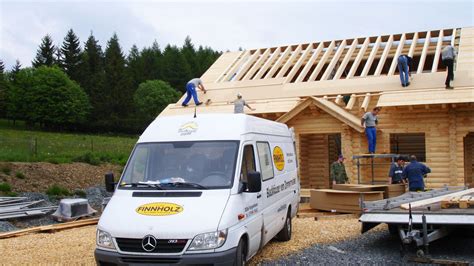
(18, 144)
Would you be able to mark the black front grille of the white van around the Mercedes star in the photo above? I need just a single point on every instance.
(163, 245)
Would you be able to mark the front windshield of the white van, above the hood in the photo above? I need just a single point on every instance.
(182, 165)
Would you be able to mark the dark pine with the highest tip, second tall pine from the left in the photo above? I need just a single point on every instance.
(71, 55)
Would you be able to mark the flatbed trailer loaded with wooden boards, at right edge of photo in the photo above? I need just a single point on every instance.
(420, 218)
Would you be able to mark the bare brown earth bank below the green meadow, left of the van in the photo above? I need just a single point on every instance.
(39, 176)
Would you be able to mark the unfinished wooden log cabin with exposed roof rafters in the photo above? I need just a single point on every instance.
(322, 89)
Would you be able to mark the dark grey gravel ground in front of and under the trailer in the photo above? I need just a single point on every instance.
(378, 248)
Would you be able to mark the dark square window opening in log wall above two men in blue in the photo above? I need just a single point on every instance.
(409, 144)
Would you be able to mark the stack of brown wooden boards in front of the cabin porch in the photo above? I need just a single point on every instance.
(340, 200)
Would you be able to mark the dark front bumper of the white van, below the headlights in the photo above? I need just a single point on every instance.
(103, 257)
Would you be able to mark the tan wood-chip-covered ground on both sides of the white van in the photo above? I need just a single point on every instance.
(76, 246)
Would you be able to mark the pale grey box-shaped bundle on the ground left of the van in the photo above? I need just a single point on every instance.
(72, 209)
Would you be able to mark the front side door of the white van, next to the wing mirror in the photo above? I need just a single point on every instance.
(252, 201)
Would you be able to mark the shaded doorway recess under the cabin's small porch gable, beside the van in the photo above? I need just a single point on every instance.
(317, 153)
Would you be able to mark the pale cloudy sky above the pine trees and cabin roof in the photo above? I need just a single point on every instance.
(223, 25)
